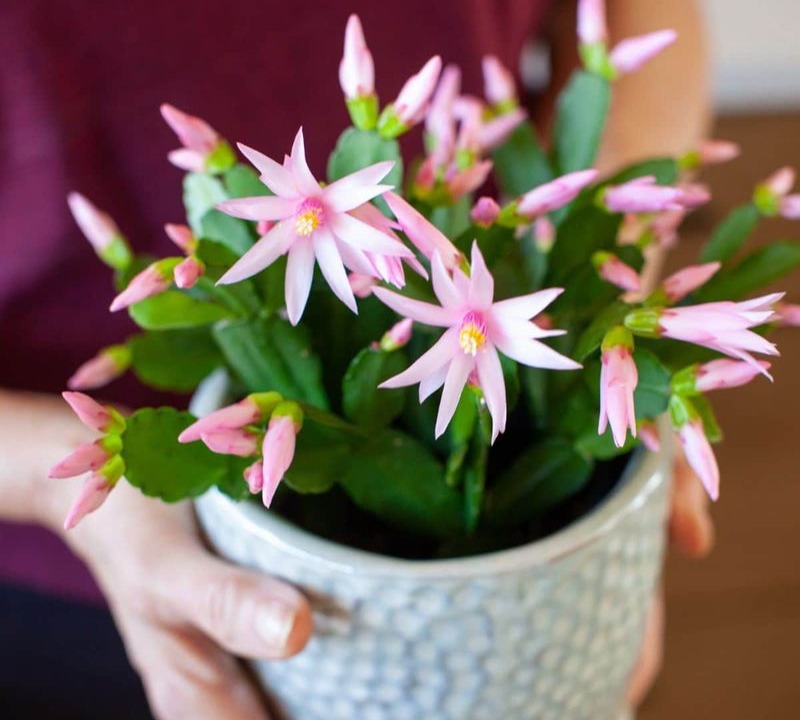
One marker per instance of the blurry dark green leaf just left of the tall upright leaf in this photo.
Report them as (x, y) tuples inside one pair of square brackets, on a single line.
[(520, 163)]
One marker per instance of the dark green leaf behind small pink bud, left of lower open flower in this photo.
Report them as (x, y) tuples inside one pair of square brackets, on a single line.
[(362, 401)]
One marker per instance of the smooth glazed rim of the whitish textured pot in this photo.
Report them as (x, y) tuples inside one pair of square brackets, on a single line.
[(644, 475)]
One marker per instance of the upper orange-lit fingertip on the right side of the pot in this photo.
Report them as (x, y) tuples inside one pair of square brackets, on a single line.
[(690, 524)]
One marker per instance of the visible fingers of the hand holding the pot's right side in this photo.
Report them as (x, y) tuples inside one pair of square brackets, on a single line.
[(691, 530)]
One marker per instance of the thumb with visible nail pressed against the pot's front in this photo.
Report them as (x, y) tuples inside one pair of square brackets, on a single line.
[(247, 613)]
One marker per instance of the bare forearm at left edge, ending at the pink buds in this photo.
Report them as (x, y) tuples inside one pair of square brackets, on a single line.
[(36, 431)]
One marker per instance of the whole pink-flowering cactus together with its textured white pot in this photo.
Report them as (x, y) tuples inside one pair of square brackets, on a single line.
[(492, 553)]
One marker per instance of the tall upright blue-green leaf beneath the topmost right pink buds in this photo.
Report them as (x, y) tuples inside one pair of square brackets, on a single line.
[(580, 121)]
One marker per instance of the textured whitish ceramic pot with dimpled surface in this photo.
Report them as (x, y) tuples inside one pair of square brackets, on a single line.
[(547, 631)]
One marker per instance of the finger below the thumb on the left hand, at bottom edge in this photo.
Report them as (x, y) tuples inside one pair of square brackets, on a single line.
[(186, 676)]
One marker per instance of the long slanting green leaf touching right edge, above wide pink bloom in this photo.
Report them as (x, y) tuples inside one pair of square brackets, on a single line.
[(756, 270)]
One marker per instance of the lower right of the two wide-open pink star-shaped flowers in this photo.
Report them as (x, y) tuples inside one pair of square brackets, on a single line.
[(477, 328)]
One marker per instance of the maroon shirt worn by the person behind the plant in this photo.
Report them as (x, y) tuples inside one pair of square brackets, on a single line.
[(80, 86)]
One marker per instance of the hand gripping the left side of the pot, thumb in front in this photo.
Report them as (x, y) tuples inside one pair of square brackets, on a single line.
[(182, 612)]
